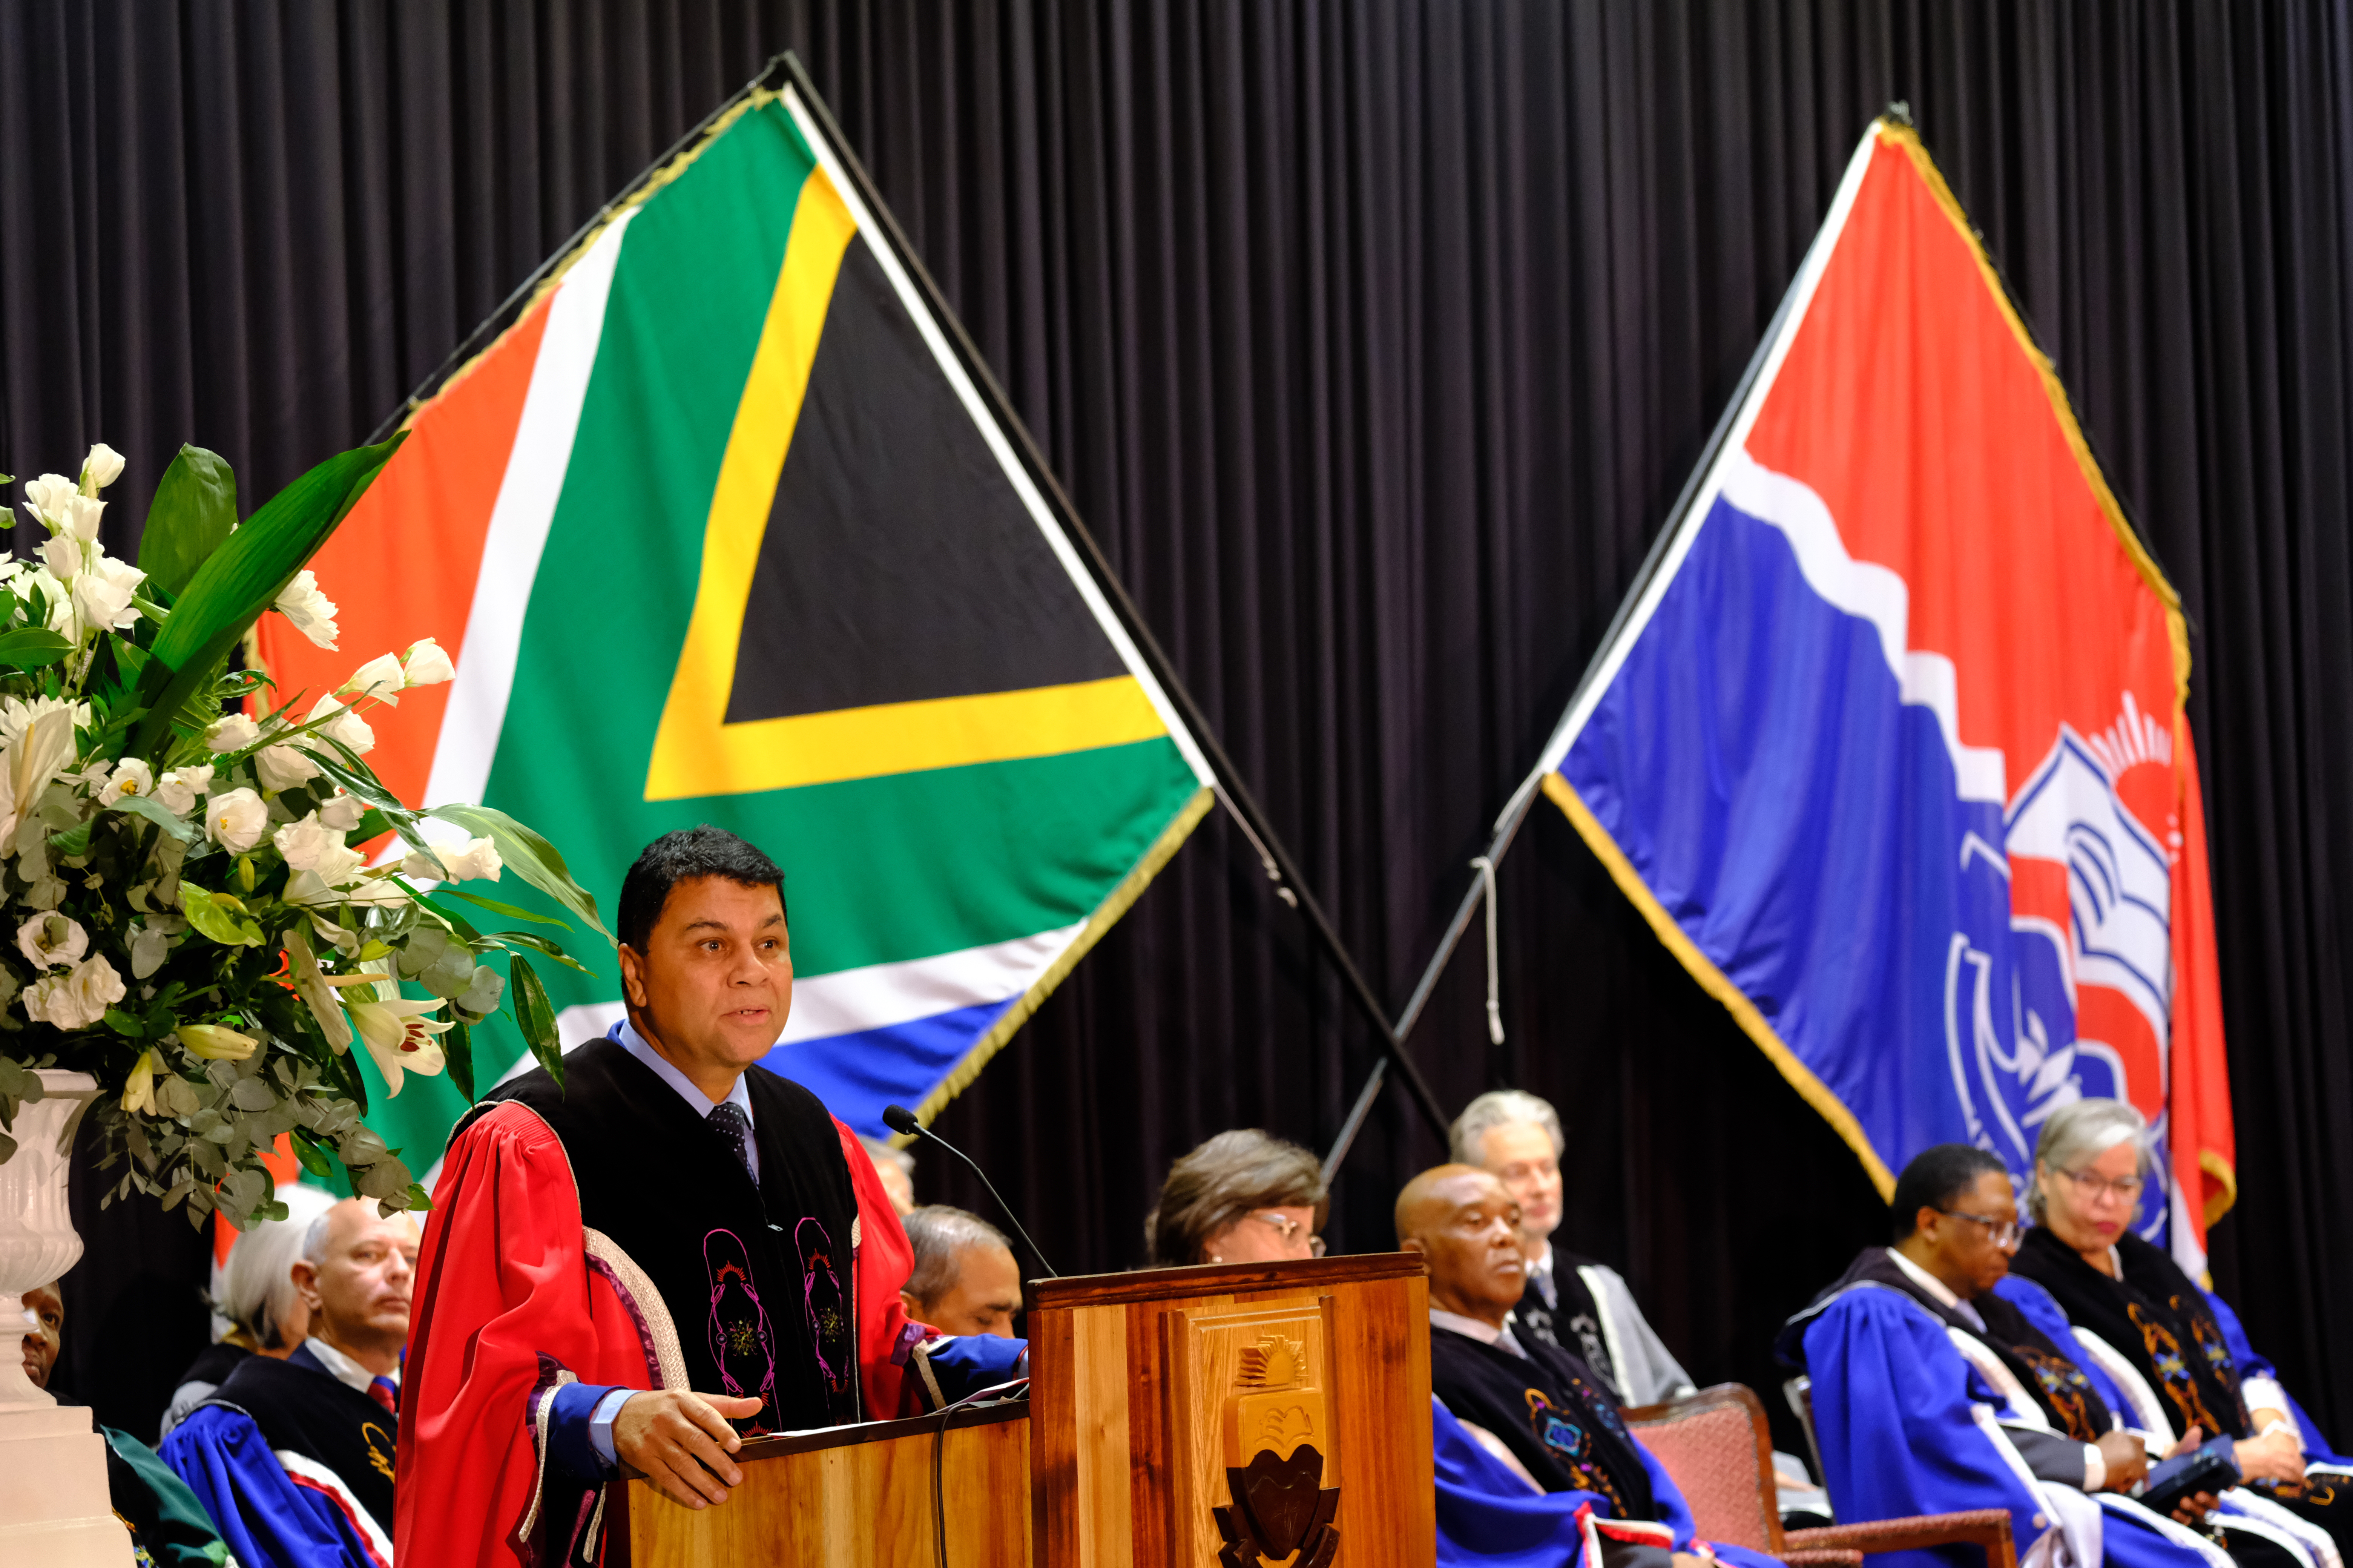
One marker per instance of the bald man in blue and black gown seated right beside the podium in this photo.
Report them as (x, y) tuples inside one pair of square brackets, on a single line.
[(1531, 1449)]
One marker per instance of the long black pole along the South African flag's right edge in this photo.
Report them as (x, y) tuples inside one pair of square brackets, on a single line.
[(1237, 795)]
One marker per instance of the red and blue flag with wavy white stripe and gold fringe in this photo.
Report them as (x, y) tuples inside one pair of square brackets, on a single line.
[(1891, 743)]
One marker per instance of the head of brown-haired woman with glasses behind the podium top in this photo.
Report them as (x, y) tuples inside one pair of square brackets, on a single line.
[(1241, 1197)]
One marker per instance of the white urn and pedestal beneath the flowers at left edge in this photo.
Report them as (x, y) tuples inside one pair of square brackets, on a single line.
[(53, 1461)]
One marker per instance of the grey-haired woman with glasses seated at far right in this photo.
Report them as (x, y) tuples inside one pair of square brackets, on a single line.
[(2175, 1353)]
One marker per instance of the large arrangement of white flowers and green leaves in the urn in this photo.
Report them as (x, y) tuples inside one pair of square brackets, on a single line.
[(182, 865)]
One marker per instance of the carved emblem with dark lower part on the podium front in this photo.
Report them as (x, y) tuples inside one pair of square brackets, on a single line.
[(1277, 1433)]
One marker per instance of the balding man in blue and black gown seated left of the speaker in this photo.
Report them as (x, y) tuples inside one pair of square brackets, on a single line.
[(295, 1459)]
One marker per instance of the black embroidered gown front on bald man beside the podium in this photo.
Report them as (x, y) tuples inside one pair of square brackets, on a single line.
[(1552, 1414)]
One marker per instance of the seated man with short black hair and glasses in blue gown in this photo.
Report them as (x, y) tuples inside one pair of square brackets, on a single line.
[(1938, 1395)]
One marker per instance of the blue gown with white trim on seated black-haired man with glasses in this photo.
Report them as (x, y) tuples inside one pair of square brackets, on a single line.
[(1907, 1426)]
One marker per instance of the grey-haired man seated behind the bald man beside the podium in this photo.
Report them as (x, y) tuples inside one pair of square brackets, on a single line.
[(1571, 1301)]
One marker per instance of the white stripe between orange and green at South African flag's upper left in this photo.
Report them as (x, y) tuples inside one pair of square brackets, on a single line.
[(519, 524)]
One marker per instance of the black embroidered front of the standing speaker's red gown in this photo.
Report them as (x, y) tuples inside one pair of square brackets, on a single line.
[(761, 1282)]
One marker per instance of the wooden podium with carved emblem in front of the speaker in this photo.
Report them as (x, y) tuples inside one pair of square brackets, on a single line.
[(1154, 1397)]
